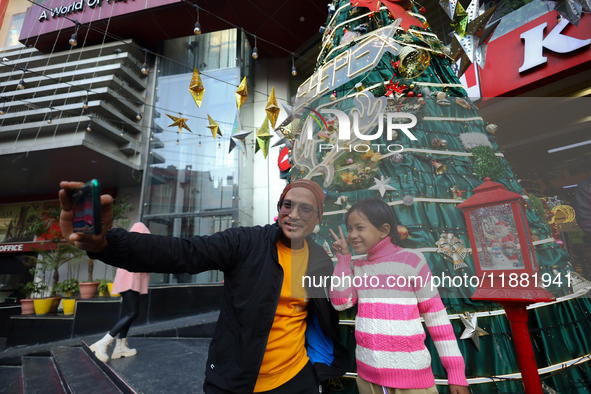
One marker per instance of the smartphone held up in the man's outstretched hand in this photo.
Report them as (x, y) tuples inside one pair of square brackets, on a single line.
[(86, 202)]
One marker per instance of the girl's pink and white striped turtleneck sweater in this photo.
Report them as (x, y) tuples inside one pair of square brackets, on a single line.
[(392, 288)]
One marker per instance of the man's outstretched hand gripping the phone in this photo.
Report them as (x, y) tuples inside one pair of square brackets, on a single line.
[(89, 242)]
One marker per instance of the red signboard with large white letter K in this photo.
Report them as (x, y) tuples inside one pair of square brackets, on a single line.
[(544, 49)]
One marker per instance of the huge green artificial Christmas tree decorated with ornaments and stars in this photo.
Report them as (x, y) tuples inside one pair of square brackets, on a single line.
[(385, 115)]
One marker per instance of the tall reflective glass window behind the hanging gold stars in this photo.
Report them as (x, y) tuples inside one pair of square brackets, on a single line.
[(194, 186)]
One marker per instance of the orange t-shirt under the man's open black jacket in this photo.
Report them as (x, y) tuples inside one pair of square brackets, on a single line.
[(286, 355)]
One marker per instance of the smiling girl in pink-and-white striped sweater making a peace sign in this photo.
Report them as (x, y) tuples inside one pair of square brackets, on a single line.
[(392, 288)]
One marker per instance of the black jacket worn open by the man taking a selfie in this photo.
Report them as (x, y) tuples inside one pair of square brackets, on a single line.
[(253, 278)]
